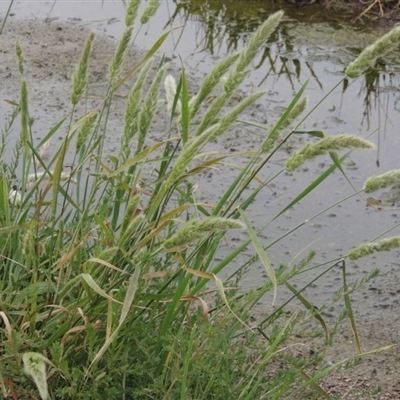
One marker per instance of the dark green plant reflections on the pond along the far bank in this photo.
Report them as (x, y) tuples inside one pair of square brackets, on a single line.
[(295, 52)]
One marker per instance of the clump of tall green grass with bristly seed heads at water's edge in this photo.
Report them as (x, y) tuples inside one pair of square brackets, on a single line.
[(110, 281)]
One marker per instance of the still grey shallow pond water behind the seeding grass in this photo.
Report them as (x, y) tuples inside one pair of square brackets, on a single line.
[(304, 47)]
